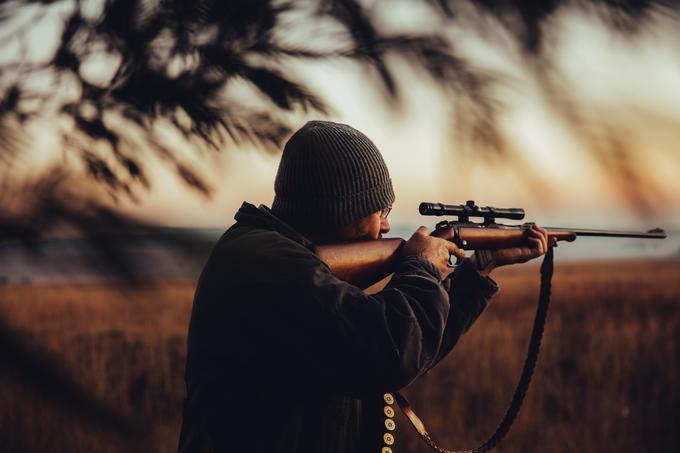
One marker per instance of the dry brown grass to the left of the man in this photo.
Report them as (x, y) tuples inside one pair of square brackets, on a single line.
[(125, 347)]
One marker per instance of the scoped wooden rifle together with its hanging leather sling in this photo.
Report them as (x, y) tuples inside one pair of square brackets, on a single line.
[(367, 262)]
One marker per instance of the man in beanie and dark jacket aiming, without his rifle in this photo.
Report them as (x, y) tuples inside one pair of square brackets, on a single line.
[(283, 356)]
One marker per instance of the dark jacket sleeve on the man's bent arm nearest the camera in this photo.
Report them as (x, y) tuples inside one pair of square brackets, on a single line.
[(380, 342)]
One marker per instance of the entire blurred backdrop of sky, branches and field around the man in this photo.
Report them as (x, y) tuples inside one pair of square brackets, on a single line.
[(132, 130)]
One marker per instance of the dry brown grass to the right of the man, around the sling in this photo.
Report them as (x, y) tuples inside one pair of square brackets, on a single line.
[(606, 379)]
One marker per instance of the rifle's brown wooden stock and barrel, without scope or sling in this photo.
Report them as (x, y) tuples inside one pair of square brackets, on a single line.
[(364, 263)]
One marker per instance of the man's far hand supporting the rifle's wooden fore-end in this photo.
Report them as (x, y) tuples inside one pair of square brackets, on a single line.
[(536, 245)]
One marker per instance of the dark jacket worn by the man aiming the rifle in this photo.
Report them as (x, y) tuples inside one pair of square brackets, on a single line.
[(284, 357)]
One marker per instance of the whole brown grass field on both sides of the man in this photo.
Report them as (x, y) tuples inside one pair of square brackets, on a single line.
[(607, 380)]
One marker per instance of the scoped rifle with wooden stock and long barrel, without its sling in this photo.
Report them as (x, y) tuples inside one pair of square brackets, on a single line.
[(367, 262)]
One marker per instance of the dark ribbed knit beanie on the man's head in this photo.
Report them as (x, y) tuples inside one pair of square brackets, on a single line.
[(330, 175)]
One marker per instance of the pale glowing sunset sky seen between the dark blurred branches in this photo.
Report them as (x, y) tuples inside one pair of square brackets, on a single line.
[(629, 86)]
